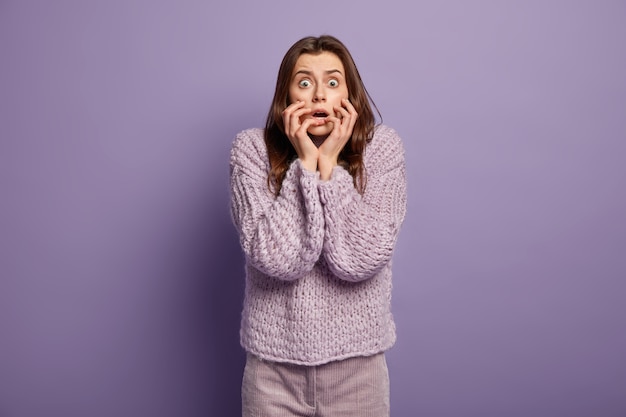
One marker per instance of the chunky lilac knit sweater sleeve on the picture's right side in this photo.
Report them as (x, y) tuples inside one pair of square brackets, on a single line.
[(361, 230)]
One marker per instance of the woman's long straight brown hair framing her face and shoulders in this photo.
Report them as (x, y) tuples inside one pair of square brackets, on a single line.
[(280, 151)]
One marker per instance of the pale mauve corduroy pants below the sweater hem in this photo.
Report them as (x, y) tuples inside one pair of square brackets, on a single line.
[(356, 387)]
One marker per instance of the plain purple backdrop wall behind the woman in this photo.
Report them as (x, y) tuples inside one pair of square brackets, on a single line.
[(121, 275)]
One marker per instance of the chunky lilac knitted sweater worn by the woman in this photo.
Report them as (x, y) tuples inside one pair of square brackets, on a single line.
[(318, 255)]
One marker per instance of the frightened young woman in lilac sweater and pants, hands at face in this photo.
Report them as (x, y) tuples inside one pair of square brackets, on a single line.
[(317, 197)]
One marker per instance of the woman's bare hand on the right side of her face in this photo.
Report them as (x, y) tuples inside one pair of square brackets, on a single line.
[(339, 136)]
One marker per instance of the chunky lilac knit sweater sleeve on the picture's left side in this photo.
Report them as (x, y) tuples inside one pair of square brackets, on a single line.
[(282, 236)]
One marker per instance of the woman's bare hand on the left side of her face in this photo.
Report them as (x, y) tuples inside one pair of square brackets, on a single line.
[(296, 131)]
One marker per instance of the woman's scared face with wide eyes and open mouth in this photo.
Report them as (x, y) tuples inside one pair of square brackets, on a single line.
[(319, 81)]
